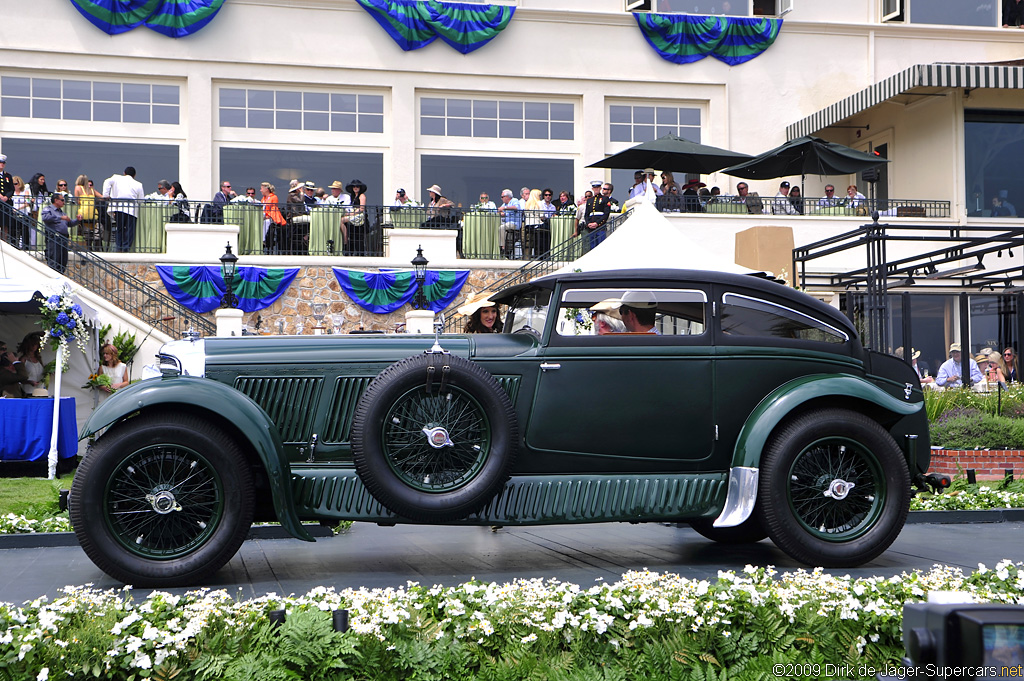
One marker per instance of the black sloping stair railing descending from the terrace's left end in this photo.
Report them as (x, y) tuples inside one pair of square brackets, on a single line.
[(93, 272)]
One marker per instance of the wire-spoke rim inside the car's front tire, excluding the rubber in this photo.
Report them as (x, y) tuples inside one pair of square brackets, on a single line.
[(163, 501)]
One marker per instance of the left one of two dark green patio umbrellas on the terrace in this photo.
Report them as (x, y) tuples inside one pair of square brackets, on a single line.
[(673, 153)]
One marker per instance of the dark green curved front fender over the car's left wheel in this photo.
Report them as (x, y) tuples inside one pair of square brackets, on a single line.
[(223, 404)]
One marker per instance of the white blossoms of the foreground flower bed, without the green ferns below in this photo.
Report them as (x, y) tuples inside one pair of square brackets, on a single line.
[(142, 635)]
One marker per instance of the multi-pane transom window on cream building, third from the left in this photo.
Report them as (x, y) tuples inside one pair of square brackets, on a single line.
[(452, 117)]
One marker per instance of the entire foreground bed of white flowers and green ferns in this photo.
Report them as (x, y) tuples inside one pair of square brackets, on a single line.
[(646, 625)]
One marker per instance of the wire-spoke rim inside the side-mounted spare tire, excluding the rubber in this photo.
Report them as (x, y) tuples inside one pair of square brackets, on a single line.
[(437, 443)]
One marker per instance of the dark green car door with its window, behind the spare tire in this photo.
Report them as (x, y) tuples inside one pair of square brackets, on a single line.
[(627, 401)]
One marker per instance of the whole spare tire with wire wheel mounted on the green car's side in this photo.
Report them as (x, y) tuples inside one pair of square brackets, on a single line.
[(435, 438)]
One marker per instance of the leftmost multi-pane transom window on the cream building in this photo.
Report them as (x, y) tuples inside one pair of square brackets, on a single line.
[(90, 101)]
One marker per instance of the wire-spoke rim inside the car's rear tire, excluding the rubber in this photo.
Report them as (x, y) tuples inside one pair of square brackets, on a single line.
[(836, 489)]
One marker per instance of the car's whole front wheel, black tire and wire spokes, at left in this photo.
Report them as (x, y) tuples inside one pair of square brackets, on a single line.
[(162, 501)]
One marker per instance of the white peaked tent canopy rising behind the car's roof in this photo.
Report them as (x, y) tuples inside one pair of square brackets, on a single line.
[(648, 240)]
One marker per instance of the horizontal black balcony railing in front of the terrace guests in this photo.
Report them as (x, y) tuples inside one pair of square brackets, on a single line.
[(518, 235)]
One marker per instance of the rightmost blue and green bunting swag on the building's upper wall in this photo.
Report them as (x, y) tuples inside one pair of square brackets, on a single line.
[(689, 38)]
